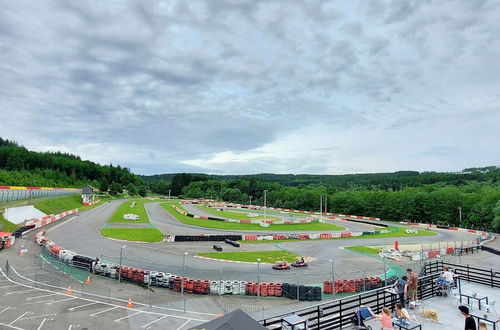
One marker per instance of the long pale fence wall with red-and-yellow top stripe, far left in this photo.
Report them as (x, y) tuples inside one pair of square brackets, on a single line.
[(12, 193)]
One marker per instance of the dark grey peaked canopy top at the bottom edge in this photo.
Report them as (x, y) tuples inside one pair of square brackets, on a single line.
[(236, 320)]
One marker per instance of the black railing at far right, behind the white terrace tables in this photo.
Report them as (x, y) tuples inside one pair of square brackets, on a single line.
[(489, 277)]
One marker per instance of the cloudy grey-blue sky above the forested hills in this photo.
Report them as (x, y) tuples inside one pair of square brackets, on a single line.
[(237, 86)]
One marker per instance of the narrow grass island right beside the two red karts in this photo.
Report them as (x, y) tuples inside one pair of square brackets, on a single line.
[(265, 256)]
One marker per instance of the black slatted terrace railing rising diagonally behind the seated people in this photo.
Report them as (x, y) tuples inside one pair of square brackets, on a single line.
[(339, 313)]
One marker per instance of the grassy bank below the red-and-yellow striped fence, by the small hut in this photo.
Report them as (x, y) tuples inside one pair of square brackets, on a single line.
[(60, 204)]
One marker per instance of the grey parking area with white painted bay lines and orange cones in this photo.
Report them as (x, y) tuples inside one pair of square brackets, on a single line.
[(27, 307)]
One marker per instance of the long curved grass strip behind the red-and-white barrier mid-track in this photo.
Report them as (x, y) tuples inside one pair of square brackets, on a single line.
[(246, 226)]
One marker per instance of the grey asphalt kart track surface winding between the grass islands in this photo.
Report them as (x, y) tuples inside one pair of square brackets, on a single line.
[(81, 234)]
